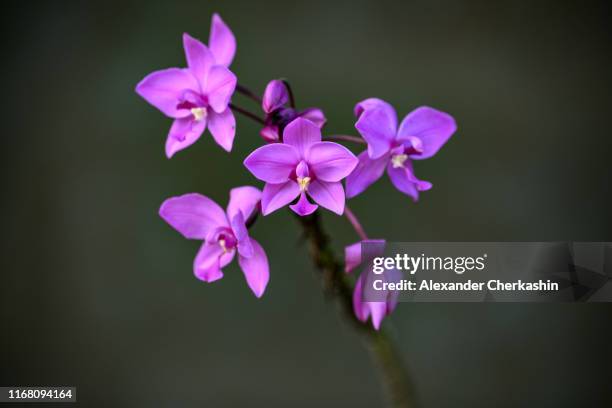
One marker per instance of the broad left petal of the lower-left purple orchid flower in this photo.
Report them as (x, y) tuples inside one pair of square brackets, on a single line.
[(193, 215)]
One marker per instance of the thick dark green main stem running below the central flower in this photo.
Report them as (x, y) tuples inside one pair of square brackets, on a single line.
[(336, 285)]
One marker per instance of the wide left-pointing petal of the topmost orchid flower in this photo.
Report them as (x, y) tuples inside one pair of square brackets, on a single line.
[(164, 89)]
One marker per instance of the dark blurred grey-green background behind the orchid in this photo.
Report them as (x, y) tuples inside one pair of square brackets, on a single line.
[(96, 291)]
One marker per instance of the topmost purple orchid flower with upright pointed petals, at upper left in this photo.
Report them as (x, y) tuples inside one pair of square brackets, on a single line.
[(198, 96)]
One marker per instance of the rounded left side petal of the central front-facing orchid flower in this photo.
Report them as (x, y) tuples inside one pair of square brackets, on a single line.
[(272, 163)]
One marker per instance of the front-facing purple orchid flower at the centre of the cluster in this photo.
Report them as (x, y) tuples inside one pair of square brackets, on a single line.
[(301, 165)]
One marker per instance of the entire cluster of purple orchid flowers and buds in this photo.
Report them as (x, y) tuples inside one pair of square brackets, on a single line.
[(299, 167)]
